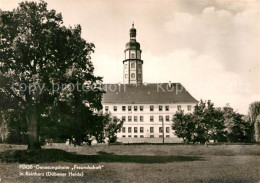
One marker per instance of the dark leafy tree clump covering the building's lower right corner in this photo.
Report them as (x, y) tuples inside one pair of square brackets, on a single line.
[(208, 123)]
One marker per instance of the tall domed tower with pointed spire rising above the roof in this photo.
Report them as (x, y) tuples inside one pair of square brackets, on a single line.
[(133, 72)]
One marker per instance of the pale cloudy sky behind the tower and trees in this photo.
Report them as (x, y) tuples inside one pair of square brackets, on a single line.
[(210, 46)]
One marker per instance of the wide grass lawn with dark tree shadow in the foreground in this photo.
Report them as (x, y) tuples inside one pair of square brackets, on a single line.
[(137, 163)]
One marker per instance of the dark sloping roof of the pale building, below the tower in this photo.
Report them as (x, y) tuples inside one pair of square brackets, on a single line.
[(150, 93)]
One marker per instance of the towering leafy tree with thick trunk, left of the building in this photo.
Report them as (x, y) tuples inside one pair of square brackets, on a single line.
[(38, 55)]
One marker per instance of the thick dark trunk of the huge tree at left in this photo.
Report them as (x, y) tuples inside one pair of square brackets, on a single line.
[(32, 134)]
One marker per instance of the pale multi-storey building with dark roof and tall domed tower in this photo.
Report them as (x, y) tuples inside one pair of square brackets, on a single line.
[(147, 108)]
